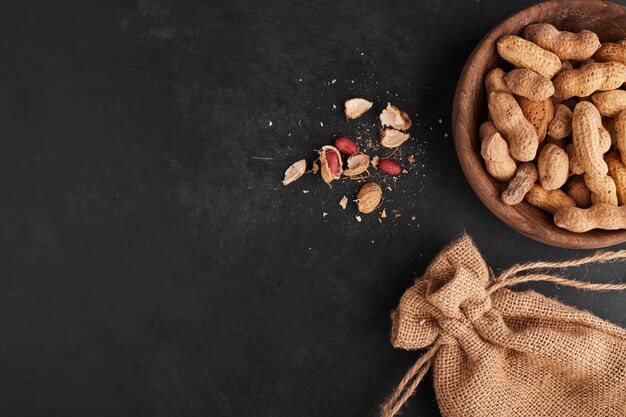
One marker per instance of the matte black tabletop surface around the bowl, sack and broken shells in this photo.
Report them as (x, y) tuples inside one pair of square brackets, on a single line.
[(152, 263)]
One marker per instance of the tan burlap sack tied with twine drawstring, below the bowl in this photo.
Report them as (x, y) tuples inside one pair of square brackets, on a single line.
[(497, 352)]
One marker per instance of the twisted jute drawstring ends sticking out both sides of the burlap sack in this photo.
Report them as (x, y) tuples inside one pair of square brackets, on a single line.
[(508, 278)]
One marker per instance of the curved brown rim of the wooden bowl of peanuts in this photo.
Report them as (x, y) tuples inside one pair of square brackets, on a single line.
[(521, 217)]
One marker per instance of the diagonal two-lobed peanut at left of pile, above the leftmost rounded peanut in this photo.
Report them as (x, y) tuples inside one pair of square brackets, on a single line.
[(517, 130)]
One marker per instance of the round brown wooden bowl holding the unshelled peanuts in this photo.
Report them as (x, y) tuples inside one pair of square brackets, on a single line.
[(608, 20)]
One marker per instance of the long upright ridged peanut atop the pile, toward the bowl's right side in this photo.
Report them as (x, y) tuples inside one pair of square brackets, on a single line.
[(585, 124)]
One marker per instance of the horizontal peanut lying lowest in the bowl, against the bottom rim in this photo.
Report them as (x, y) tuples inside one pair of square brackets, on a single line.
[(599, 216)]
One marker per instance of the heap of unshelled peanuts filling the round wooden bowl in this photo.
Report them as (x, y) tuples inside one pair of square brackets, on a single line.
[(557, 126)]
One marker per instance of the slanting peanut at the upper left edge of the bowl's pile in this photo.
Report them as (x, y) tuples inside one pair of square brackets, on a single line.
[(525, 54)]
